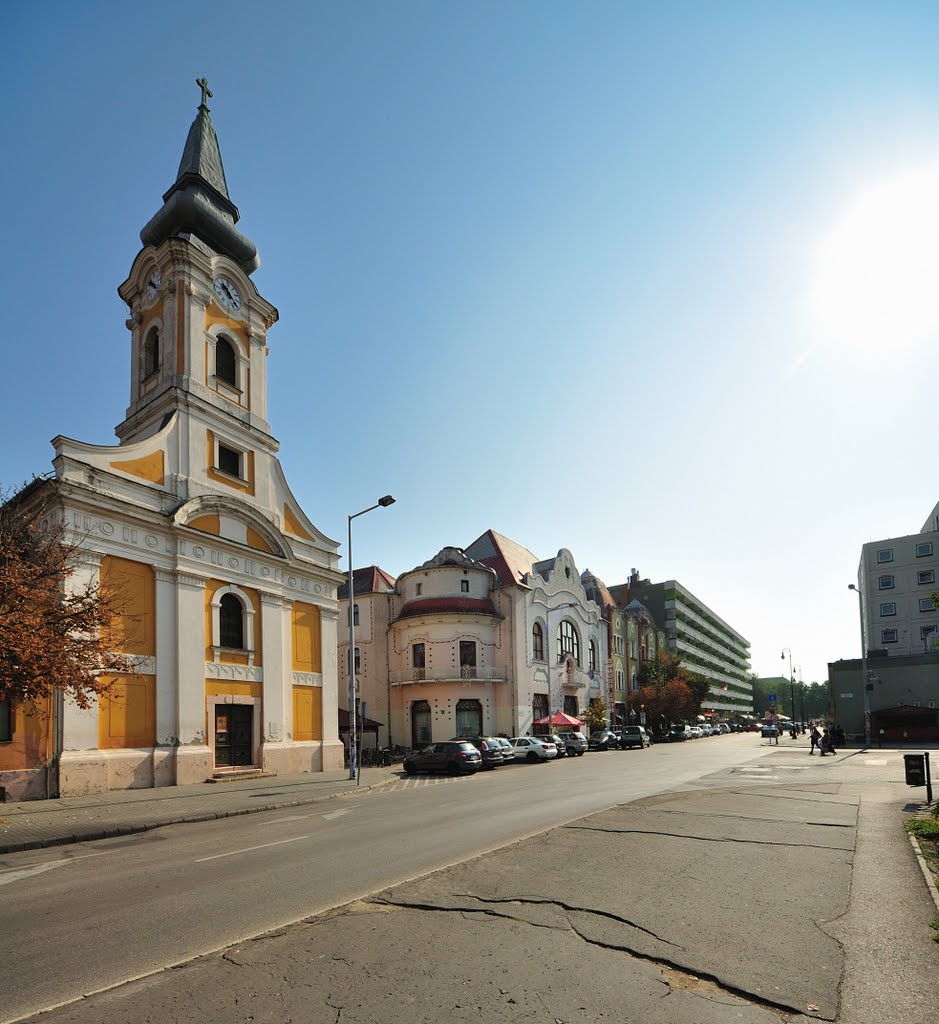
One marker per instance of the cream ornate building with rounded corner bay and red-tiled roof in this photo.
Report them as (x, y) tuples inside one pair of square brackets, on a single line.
[(480, 641)]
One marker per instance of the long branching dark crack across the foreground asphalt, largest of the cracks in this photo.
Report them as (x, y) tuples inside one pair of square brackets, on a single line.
[(727, 988)]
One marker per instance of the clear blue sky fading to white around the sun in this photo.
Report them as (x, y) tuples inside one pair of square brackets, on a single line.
[(590, 274)]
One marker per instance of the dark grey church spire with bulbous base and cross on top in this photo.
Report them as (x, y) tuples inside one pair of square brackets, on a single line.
[(198, 203)]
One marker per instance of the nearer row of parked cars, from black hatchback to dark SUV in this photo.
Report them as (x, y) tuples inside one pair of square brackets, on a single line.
[(468, 754)]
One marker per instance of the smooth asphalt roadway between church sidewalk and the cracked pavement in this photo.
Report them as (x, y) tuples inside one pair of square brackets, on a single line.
[(88, 918)]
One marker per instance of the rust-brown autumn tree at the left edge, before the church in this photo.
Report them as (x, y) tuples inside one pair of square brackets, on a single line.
[(54, 627)]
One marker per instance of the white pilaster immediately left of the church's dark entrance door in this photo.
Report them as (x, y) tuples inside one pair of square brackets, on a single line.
[(193, 756)]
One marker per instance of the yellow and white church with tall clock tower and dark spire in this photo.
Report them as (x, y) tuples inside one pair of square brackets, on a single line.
[(227, 592)]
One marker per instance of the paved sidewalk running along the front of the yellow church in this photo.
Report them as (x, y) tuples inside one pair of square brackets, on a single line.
[(33, 825)]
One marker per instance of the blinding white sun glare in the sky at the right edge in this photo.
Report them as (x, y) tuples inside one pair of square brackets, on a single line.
[(877, 272)]
